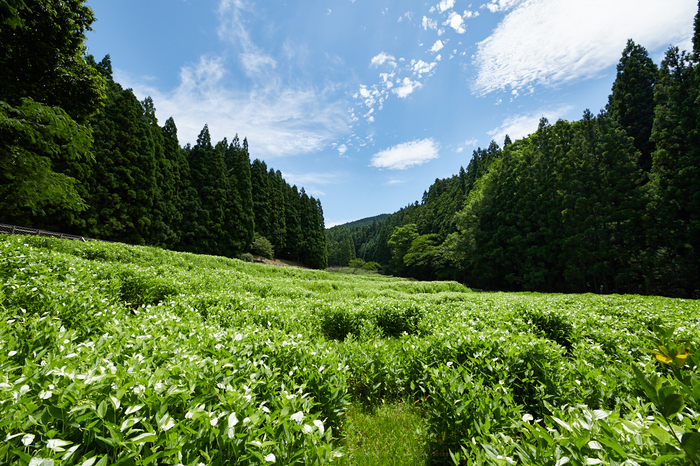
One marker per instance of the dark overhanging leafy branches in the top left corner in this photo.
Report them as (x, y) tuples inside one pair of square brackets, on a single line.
[(42, 56)]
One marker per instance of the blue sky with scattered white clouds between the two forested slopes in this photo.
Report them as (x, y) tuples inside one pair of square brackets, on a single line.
[(365, 103)]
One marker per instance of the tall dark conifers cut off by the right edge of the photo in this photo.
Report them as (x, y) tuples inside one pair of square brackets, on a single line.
[(675, 177)]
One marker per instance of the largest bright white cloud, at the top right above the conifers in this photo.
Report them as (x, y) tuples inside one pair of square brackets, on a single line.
[(552, 41)]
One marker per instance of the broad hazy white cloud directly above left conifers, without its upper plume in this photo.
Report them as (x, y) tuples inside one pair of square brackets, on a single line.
[(280, 122)]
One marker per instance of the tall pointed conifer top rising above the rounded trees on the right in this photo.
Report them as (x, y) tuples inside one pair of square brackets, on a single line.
[(631, 103)]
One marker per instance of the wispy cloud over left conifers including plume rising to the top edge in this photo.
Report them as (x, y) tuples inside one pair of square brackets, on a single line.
[(279, 119)]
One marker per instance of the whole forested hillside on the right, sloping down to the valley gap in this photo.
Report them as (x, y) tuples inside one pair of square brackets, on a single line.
[(609, 203)]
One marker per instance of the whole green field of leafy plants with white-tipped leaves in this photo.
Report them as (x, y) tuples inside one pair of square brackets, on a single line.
[(113, 354)]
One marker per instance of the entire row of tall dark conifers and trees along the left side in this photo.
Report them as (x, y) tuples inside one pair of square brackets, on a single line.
[(82, 155)]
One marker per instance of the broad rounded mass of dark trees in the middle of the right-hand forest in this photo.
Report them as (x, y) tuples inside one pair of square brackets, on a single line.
[(559, 212)]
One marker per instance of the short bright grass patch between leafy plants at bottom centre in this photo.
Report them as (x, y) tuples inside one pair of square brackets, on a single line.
[(385, 435)]
